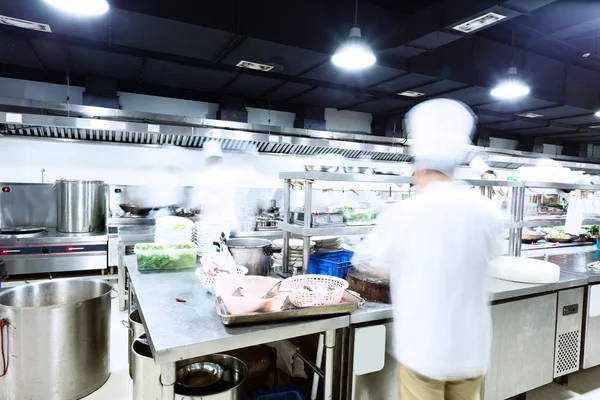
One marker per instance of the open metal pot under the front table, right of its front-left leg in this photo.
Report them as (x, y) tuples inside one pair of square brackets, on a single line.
[(233, 383)]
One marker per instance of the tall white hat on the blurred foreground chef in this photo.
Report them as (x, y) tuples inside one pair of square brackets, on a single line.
[(440, 130)]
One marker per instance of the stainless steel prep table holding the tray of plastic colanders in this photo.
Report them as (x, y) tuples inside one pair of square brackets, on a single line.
[(178, 331)]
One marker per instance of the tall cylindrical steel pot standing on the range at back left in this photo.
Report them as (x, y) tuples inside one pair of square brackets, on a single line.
[(80, 206)]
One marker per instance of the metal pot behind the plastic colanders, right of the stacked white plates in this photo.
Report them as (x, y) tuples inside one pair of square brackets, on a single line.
[(253, 254)]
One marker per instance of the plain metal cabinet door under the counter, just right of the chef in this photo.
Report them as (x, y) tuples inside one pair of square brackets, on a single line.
[(522, 346)]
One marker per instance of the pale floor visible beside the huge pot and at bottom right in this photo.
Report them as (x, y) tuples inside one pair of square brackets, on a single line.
[(119, 386)]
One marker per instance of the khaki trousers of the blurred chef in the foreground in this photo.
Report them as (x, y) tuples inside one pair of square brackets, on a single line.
[(417, 387)]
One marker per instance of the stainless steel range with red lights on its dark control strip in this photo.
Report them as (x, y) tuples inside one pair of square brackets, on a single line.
[(52, 251)]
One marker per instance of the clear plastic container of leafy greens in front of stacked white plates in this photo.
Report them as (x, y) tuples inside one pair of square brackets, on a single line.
[(157, 257)]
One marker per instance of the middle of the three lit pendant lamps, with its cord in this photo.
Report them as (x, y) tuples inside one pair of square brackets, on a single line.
[(355, 54)]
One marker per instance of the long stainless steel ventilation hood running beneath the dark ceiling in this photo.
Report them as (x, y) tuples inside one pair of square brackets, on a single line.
[(49, 120)]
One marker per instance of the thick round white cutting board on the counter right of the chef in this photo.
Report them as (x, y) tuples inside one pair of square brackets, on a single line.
[(525, 270)]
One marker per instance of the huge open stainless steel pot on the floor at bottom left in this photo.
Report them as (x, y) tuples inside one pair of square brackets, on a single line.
[(58, 339)]
